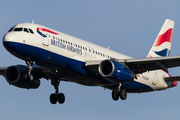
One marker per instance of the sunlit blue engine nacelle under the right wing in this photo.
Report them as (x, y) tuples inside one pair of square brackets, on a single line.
[(115, 71)]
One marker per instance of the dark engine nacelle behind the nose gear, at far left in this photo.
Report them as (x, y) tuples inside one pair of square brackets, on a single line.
[(17, 76)]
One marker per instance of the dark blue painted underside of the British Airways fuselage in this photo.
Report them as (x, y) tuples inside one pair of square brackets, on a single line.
[(58, 61)]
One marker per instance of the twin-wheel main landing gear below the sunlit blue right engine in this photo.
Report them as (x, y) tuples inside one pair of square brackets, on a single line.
[(122, 93)]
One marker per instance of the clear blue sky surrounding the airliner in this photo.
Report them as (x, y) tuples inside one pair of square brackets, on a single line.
[(129, 27)]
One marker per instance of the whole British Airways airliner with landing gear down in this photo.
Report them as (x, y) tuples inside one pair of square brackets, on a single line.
[(59, 57)]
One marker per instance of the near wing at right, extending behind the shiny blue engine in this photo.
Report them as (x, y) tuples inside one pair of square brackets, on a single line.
[(142, 65)]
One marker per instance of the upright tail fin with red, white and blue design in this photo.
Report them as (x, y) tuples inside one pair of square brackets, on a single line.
[(162, 44)]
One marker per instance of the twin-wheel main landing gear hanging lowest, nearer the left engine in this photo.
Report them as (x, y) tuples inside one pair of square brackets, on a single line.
[(54, 97)]
